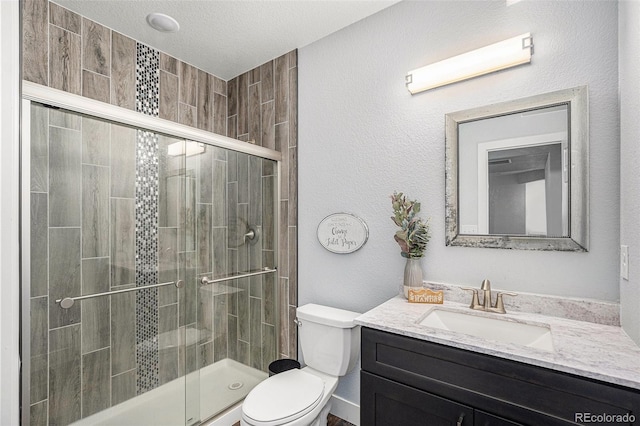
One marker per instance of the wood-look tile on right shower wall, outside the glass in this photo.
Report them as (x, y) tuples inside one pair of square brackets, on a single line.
[(263, 109)]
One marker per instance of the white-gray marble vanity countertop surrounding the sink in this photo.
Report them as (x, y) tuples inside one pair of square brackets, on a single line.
[(597, 351)]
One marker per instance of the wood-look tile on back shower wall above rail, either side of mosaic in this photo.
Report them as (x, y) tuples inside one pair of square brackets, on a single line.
[(66, 51)]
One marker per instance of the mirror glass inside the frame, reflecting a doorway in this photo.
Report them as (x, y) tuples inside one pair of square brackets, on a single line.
[(514, 178)]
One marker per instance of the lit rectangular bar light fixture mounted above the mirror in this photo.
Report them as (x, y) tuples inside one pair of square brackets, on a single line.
[(495, 57)]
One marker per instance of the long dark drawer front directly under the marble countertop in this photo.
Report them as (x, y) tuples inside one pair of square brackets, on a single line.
[(515, 391)]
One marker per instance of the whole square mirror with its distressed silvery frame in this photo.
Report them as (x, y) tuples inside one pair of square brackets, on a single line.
[(517, 174)]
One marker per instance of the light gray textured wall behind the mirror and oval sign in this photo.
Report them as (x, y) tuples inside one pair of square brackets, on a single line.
[(363, 136)]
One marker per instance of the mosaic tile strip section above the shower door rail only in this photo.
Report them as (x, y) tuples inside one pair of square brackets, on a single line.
[(147, 80)]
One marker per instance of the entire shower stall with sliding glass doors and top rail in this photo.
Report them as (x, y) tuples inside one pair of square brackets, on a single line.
[(149, 263)]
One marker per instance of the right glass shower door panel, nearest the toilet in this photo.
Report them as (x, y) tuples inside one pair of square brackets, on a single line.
[(235, 232)]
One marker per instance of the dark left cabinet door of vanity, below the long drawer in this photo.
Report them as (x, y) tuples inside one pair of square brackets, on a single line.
[(387, 403)]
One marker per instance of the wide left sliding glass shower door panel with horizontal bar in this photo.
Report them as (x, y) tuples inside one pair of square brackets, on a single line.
[(106, 206)]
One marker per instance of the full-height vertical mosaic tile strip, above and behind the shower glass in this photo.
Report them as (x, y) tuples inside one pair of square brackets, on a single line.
[(146, 216)]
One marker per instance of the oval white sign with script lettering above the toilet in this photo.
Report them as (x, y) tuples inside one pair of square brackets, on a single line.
[(342, 233)]
